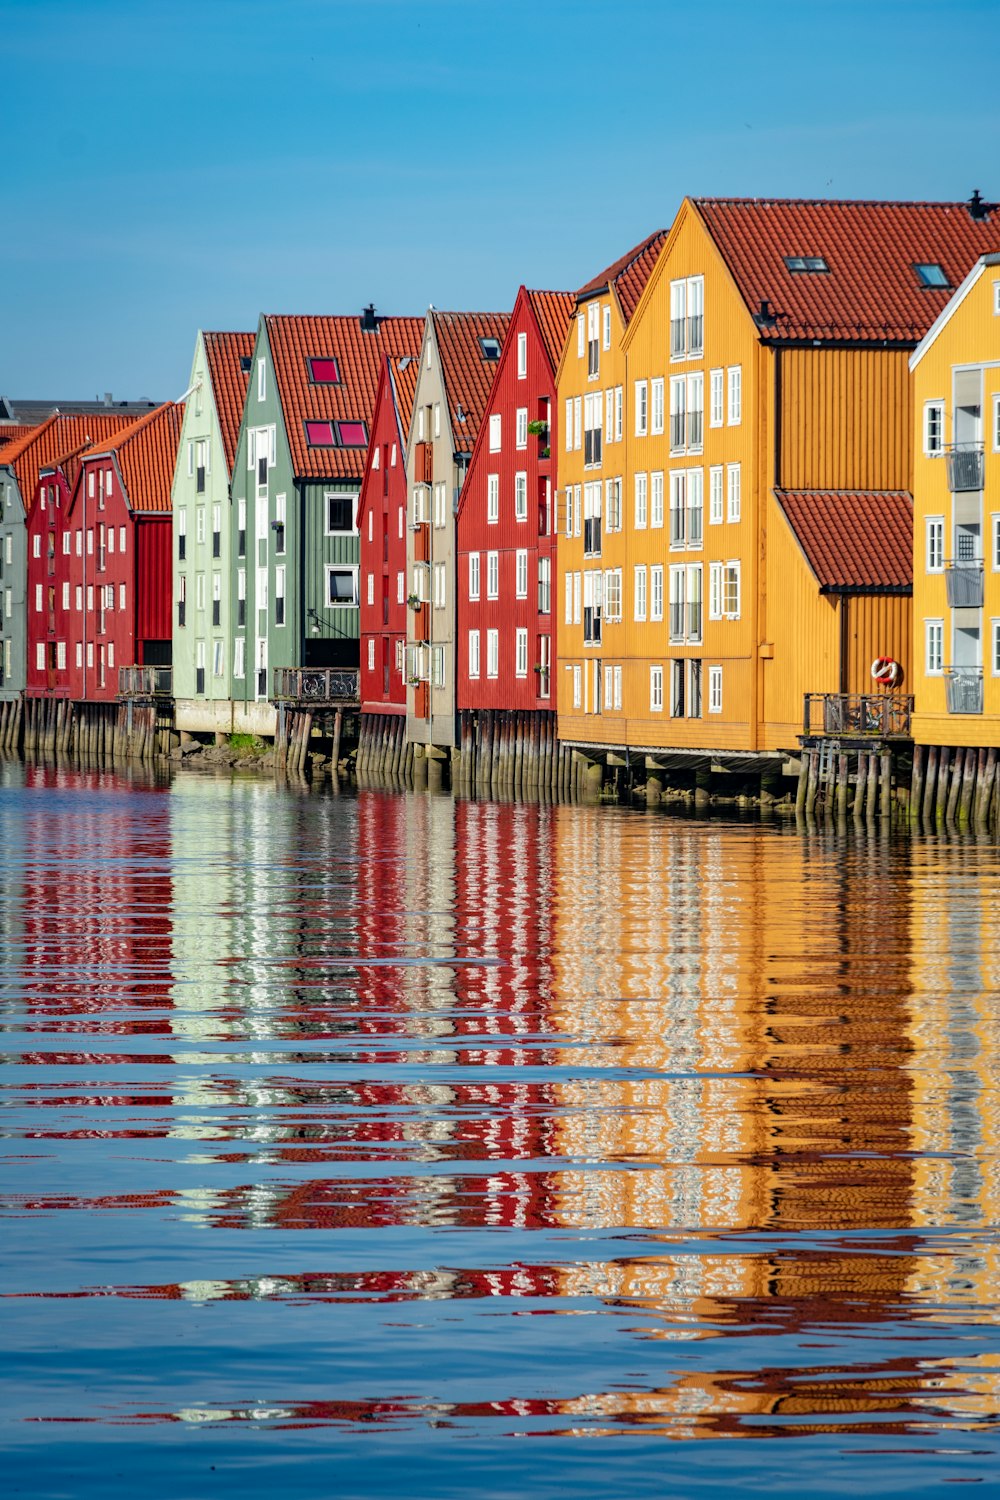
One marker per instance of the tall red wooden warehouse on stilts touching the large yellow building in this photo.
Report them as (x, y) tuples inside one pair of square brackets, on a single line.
[(507, 553)]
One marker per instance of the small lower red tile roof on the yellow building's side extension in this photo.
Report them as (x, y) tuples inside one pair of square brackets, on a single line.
[(854, 541)]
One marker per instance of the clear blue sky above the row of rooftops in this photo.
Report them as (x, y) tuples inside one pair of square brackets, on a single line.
[(196, 163)]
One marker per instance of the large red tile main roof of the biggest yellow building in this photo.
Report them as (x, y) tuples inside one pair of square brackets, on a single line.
[(872, 290)]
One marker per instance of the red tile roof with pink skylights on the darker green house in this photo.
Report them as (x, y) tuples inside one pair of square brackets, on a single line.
[(359, 356)]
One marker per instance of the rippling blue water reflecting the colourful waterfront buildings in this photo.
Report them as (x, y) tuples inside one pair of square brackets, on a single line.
[(388, 1145)]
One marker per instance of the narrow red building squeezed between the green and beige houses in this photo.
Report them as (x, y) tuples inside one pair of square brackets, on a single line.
[(383, 533)]
